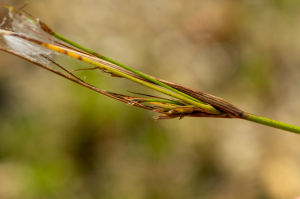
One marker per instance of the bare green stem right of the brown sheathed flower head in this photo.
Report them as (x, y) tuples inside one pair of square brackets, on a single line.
[(272, 123)]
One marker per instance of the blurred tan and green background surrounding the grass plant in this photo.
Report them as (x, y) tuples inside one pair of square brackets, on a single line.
[(61, 140)]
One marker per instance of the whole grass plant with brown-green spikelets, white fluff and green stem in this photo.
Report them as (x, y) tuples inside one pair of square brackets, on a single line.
[(33, 40)]
